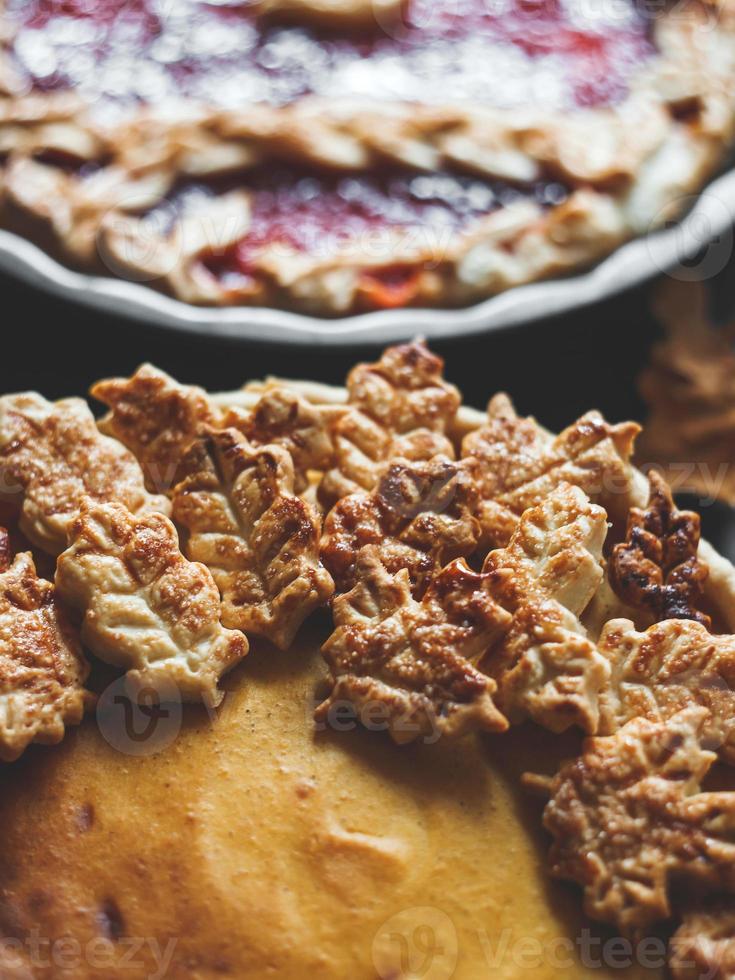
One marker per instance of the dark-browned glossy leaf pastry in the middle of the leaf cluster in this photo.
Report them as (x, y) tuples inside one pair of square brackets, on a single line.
[(420, 516)]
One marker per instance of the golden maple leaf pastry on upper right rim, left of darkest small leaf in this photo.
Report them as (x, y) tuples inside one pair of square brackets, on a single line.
[(516, 465)]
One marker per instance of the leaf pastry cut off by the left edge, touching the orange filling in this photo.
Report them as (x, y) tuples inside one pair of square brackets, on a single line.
[(42, 668)]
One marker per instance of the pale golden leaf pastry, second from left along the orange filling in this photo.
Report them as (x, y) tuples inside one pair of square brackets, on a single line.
[(145, 607)]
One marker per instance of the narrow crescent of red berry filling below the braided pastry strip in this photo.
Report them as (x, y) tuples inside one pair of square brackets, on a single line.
[(377, 217)]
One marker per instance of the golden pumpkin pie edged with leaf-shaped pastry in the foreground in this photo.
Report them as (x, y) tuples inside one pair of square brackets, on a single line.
[(279, 805)]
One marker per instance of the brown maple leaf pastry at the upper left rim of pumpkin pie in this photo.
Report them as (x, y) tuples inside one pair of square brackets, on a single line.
[(156, 418)]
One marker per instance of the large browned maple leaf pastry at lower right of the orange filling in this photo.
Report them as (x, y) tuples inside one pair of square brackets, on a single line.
[(629, 817)]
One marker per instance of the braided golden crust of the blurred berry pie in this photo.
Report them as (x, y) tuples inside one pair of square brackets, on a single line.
[(103, 192)]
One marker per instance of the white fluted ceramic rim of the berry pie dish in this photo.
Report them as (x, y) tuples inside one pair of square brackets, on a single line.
[(700, 244)]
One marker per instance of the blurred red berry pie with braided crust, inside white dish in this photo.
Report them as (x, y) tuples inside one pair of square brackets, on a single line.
[(334, 157)]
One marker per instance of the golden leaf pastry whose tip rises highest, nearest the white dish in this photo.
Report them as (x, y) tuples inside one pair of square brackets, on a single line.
[(399, 407)]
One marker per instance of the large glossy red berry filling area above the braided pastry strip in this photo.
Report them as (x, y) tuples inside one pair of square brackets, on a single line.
[(556, 53)]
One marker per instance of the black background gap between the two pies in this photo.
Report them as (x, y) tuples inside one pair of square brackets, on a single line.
[(555, 369)]
